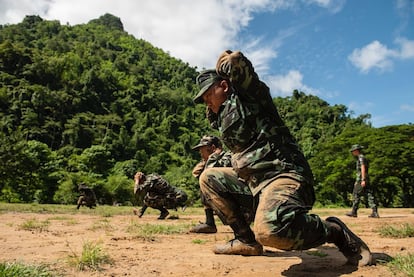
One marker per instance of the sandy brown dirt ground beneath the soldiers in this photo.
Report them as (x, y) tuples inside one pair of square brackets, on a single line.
[(187, 254)]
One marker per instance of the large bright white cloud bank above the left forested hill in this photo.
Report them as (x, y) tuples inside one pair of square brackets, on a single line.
[(193, 31)]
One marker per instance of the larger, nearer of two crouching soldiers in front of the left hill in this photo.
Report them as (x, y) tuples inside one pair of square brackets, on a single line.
[(158, 194)]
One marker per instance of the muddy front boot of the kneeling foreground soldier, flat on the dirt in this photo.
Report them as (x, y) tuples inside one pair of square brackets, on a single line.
[(244, 242)]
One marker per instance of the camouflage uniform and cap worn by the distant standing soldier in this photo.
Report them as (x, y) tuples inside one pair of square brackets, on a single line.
[(362, 191)]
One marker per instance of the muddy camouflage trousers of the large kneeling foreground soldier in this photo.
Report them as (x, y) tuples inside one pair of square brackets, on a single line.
[(281, 209)]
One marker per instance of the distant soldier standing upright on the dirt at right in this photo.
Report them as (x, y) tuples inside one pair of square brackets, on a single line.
[(362, 185)]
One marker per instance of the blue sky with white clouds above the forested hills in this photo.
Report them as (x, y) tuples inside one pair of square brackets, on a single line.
[(359, 53)]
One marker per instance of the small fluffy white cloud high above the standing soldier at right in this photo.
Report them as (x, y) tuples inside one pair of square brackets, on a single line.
[(378, 56)]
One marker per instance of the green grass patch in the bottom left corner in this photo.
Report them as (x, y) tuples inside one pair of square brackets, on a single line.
[(13, 269)]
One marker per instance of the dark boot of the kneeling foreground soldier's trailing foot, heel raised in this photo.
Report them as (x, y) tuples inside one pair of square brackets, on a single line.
[(352, 247)]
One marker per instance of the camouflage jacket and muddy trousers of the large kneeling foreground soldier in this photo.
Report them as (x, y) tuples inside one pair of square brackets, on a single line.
[(267, 157)]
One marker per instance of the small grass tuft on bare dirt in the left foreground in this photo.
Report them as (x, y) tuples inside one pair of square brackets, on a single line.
[(92, 257)]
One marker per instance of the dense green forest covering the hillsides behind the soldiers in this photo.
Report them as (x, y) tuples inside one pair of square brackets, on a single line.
[(90, 103)]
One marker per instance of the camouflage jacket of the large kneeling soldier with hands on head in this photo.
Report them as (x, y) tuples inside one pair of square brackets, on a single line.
[(250, 126)]
